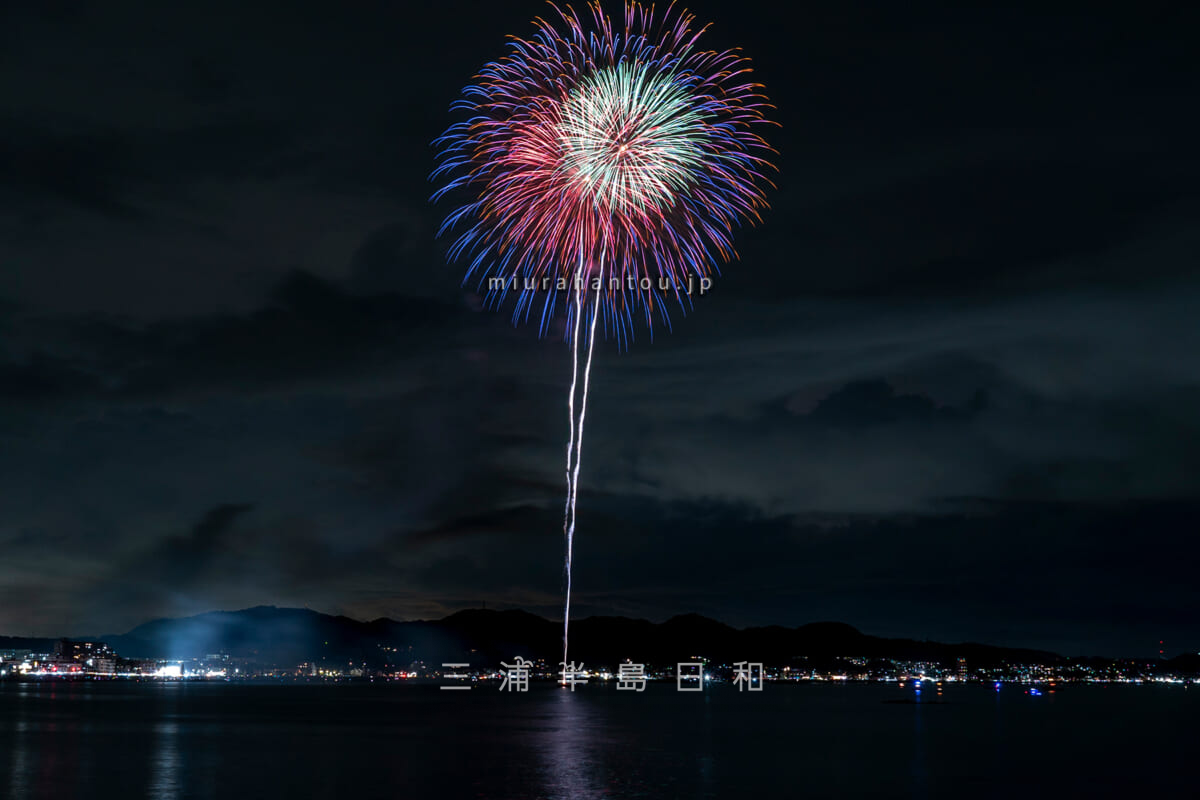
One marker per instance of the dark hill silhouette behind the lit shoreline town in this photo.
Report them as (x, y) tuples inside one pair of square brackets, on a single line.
[(291, 636)]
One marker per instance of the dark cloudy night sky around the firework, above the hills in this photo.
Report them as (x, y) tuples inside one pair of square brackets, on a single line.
[(951, 390)]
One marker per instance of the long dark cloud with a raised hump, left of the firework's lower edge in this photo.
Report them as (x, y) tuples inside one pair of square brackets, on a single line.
[(309, 329)]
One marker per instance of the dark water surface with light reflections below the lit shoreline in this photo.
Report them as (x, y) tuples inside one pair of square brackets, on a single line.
[(99, 741)]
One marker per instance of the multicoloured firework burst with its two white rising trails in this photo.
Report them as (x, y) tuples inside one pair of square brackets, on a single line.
[(607, 159)]
